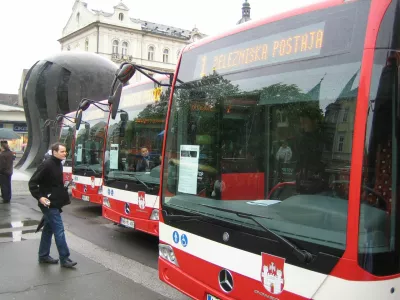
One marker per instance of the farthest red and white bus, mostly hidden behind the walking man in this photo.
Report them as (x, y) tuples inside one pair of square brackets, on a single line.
[(67, 137)]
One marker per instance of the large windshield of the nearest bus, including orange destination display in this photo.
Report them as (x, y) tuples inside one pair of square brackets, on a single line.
[(251, 132)]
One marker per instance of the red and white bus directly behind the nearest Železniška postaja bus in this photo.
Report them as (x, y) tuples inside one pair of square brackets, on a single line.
[(133, 157)]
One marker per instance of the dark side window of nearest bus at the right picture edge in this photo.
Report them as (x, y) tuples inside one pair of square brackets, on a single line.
[(379, 239)]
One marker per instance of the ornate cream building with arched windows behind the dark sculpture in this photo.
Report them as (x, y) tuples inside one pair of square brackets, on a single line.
[(119, 37)]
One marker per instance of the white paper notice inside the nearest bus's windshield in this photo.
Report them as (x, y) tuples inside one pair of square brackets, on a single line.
[(188, 169)]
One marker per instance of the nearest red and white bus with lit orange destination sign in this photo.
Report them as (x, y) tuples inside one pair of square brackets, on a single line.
[(280, 165)]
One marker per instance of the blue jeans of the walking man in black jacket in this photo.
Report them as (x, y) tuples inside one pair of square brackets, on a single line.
[(53, 225)]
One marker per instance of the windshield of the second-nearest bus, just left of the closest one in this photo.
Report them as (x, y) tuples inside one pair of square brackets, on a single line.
[(134, 139)]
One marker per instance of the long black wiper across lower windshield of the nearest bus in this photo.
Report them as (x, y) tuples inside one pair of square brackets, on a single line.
[(303, 255)]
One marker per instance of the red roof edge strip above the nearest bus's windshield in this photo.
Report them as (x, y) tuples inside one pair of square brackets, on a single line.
[(255, 23)]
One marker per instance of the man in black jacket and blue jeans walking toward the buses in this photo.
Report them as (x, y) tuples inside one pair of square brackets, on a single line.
[(46, 185)]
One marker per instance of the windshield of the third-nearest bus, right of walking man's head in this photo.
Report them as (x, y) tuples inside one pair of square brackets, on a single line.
[(89, 143)]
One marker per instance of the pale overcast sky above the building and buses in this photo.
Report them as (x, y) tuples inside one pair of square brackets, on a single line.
[(29, 29)]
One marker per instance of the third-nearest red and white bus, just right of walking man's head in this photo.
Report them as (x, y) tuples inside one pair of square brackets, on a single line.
[(87, 167)]
